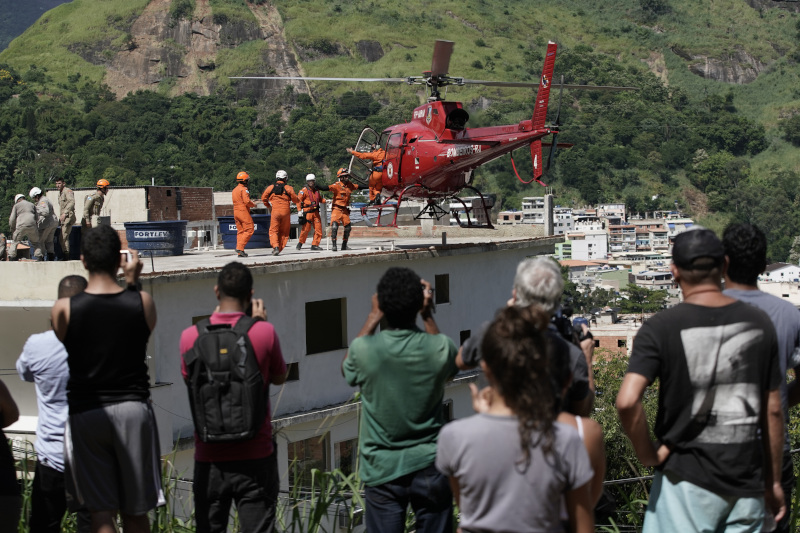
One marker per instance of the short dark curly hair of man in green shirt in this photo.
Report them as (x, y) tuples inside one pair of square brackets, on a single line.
[(400, 296)]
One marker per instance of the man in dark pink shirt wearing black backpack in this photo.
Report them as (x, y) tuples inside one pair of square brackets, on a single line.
[(234, 455)]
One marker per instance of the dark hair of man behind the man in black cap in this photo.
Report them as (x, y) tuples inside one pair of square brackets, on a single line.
[(746, 248)]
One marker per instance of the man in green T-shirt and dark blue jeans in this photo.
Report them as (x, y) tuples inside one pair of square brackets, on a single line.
[(402, 372)]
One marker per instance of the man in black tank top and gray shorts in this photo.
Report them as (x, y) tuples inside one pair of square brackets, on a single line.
[(105, 330)]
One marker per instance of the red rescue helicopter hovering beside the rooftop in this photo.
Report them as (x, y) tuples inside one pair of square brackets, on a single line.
[(433, 156)]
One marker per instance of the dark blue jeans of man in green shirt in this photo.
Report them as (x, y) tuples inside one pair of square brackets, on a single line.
[(428, 492)]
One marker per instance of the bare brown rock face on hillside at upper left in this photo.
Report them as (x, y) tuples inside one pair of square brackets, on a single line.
[(183, 53)]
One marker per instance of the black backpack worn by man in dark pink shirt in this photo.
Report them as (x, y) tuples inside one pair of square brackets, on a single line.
[(227, 393)]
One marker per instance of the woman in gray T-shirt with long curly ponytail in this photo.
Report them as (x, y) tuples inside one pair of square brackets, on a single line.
[(510, 465)]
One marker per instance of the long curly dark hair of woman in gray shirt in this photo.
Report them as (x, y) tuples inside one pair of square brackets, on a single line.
[(515, 350)]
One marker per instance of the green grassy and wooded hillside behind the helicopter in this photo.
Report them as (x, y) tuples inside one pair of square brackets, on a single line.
[(720, 150)]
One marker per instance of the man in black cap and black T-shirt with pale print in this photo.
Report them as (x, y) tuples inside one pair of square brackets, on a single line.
[(716, 359)]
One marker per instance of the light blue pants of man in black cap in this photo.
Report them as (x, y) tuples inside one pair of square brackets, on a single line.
[(677, 505)]
